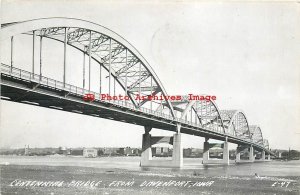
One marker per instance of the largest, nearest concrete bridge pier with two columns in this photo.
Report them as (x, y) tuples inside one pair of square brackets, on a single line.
[(148, 141)]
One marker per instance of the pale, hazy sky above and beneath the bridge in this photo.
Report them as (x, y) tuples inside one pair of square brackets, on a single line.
[(246, 54)]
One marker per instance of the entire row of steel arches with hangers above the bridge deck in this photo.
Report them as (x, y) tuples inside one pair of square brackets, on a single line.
[(127, 67)]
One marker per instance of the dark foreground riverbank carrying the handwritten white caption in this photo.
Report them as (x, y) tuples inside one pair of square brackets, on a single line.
[(41, 179)]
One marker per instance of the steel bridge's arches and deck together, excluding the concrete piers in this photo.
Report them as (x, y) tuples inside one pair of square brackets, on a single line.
[(121, 69)]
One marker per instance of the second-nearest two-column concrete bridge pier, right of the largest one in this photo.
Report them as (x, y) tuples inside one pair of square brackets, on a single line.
[(207, 160)]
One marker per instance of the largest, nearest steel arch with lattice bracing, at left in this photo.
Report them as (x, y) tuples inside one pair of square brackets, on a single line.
[(111, 51)]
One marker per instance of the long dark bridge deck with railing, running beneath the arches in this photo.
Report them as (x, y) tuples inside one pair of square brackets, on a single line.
[(22, 86)]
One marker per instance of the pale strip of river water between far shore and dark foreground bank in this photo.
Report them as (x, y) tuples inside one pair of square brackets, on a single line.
[(191, 165)]
